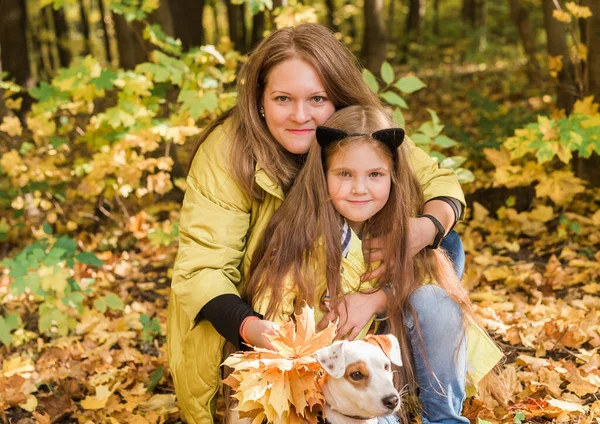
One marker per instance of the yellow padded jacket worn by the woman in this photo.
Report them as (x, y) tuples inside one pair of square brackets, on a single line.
[(220, 226)]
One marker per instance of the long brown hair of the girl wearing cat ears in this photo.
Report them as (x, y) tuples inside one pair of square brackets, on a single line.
[(306, 231)]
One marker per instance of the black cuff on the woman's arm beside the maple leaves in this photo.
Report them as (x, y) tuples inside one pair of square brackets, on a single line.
[(226, 313)]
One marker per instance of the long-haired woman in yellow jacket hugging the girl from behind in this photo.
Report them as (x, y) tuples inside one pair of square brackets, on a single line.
[(245, 163)]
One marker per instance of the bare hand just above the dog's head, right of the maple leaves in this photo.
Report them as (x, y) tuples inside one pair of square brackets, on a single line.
[(354, 311)]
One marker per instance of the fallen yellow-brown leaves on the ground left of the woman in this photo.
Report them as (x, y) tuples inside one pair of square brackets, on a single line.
[(106, 371)]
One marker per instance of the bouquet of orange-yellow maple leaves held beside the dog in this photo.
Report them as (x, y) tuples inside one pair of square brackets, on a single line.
[(281, 385)]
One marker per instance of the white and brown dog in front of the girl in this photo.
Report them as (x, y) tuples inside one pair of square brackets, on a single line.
[(358, 385)]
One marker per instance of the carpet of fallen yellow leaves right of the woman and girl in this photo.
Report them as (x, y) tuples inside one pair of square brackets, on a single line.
[(535, 283)]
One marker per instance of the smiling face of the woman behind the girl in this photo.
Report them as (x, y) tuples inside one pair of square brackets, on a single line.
[(295, 103)]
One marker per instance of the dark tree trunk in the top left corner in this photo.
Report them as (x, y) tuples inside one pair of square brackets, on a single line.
[(13, 41)]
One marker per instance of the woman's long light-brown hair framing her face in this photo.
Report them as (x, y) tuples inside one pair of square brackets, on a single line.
[(252, 142)]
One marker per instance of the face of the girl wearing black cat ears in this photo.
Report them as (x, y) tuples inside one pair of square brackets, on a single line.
[(359, 182)]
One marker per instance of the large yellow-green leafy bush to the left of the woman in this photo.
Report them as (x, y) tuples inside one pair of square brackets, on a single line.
[(99, 134)]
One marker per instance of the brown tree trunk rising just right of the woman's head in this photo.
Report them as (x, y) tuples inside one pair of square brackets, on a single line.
[(374, 37)]
